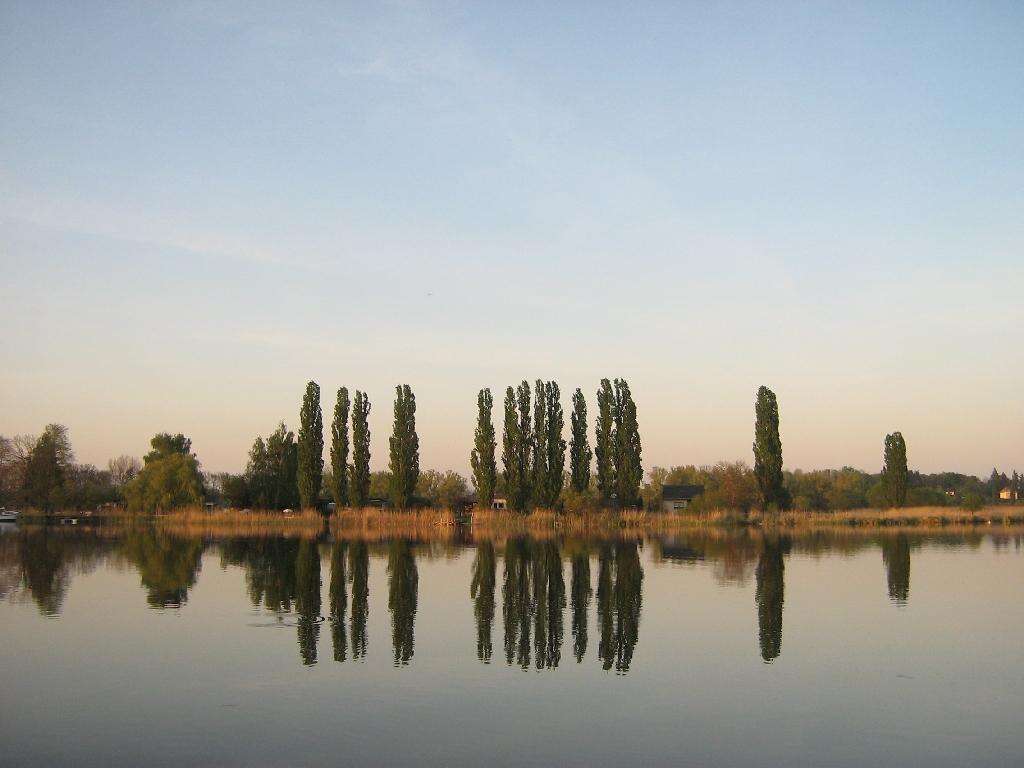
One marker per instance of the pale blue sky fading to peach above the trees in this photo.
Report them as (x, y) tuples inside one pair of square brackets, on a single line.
[(203, 206)]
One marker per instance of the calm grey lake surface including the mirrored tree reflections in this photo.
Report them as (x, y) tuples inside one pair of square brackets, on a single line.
[(728, 650)]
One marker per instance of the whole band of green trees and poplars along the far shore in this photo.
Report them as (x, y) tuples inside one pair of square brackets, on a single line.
[(285, 472)]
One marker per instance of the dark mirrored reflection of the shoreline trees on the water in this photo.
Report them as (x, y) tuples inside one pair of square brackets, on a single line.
[(284, 577)]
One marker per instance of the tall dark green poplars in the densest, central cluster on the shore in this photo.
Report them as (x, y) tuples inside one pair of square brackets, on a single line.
[(534, 450)]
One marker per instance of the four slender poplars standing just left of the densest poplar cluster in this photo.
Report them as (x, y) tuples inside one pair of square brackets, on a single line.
[(350, 482)]
